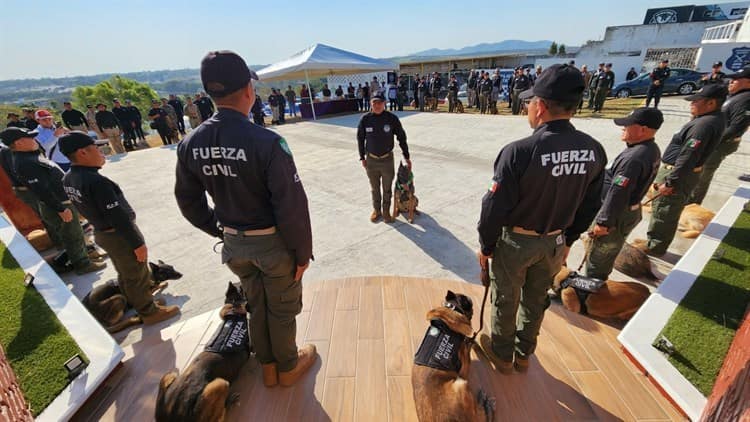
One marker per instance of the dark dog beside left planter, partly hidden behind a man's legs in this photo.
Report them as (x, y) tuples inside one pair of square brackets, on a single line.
[(108, 305)]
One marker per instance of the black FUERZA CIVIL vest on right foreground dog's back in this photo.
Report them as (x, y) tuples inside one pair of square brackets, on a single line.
[(439, 348)]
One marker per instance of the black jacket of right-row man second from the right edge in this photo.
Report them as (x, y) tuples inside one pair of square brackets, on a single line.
[(691, 146)]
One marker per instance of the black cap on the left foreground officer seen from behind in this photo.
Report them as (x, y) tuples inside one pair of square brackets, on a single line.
[(224, 72)]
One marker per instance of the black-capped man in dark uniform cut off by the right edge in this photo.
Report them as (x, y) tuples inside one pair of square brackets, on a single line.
[(735, 110)]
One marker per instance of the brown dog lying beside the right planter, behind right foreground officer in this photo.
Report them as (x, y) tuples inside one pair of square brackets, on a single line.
[(613, 299)]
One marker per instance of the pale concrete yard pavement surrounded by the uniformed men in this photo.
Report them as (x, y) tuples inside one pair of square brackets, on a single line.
[(452, 156)]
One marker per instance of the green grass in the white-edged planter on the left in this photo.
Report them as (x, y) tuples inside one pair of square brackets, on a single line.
[(36, 343)]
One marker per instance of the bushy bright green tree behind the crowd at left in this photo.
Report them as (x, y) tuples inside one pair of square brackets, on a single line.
[(118, 87)]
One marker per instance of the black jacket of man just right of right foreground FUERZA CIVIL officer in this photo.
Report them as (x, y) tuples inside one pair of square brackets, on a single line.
[(628, 180)]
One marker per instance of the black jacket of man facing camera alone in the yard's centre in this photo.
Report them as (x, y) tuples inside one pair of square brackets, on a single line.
[(375, 134)]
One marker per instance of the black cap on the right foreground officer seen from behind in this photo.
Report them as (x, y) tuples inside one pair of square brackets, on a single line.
[(559, 82)]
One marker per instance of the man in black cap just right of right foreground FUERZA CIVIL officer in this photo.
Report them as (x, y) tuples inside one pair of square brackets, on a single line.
[(626, 182)]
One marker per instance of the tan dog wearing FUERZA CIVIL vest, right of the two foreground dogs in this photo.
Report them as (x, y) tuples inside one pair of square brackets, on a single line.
[(440, 375)]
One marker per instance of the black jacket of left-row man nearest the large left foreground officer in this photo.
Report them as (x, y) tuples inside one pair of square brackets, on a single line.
[(102, 202)]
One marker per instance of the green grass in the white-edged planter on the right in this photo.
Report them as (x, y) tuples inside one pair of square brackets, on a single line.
[(705, 322)]
